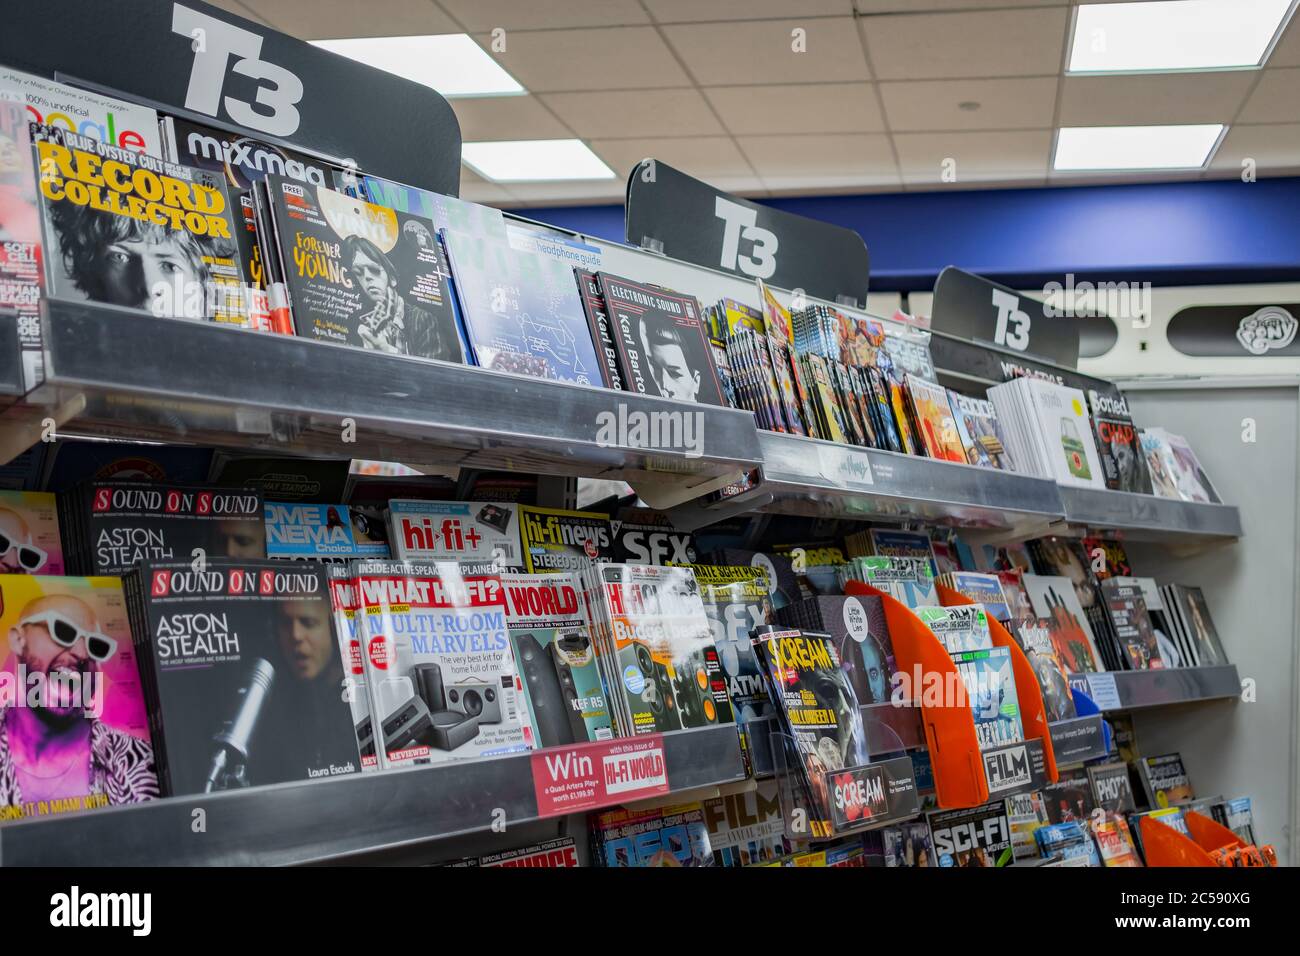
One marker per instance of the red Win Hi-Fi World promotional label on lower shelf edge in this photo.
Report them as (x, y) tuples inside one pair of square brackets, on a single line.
[(586, 777)]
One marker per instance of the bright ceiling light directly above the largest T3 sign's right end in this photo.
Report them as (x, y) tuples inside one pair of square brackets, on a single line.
[(453, 64)]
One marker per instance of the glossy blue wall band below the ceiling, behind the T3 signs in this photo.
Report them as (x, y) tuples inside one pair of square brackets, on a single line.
[(1184, 233)]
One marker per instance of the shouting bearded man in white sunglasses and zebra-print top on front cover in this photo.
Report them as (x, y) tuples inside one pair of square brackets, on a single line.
[(58, 750)]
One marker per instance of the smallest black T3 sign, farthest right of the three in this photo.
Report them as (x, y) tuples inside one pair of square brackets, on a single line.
[(973, 308)]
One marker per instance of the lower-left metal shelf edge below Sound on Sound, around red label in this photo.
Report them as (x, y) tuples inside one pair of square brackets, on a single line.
[(330, 820)]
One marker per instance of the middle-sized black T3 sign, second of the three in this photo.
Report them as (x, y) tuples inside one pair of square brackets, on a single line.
[(696, 223)]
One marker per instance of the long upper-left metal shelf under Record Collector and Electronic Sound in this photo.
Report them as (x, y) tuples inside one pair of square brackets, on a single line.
[(137, 377)]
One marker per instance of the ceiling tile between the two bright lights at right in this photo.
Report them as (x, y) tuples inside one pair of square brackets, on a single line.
[(1165, 98)]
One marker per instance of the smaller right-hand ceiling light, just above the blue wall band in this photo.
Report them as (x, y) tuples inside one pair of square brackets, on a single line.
[(1136, 148)]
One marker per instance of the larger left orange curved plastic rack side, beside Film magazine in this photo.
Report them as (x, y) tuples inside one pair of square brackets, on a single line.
[(951, 738)]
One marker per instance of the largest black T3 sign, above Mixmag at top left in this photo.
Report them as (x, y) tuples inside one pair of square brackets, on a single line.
[(194, 59)]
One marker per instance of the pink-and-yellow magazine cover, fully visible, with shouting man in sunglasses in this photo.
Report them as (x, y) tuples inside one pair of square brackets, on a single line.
[(73, 728)]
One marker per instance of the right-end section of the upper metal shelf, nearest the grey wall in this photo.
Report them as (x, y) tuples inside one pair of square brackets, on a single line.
[(1149, 517)]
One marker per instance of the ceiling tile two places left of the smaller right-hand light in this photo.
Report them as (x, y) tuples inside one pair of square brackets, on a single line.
[(847, 161)]
